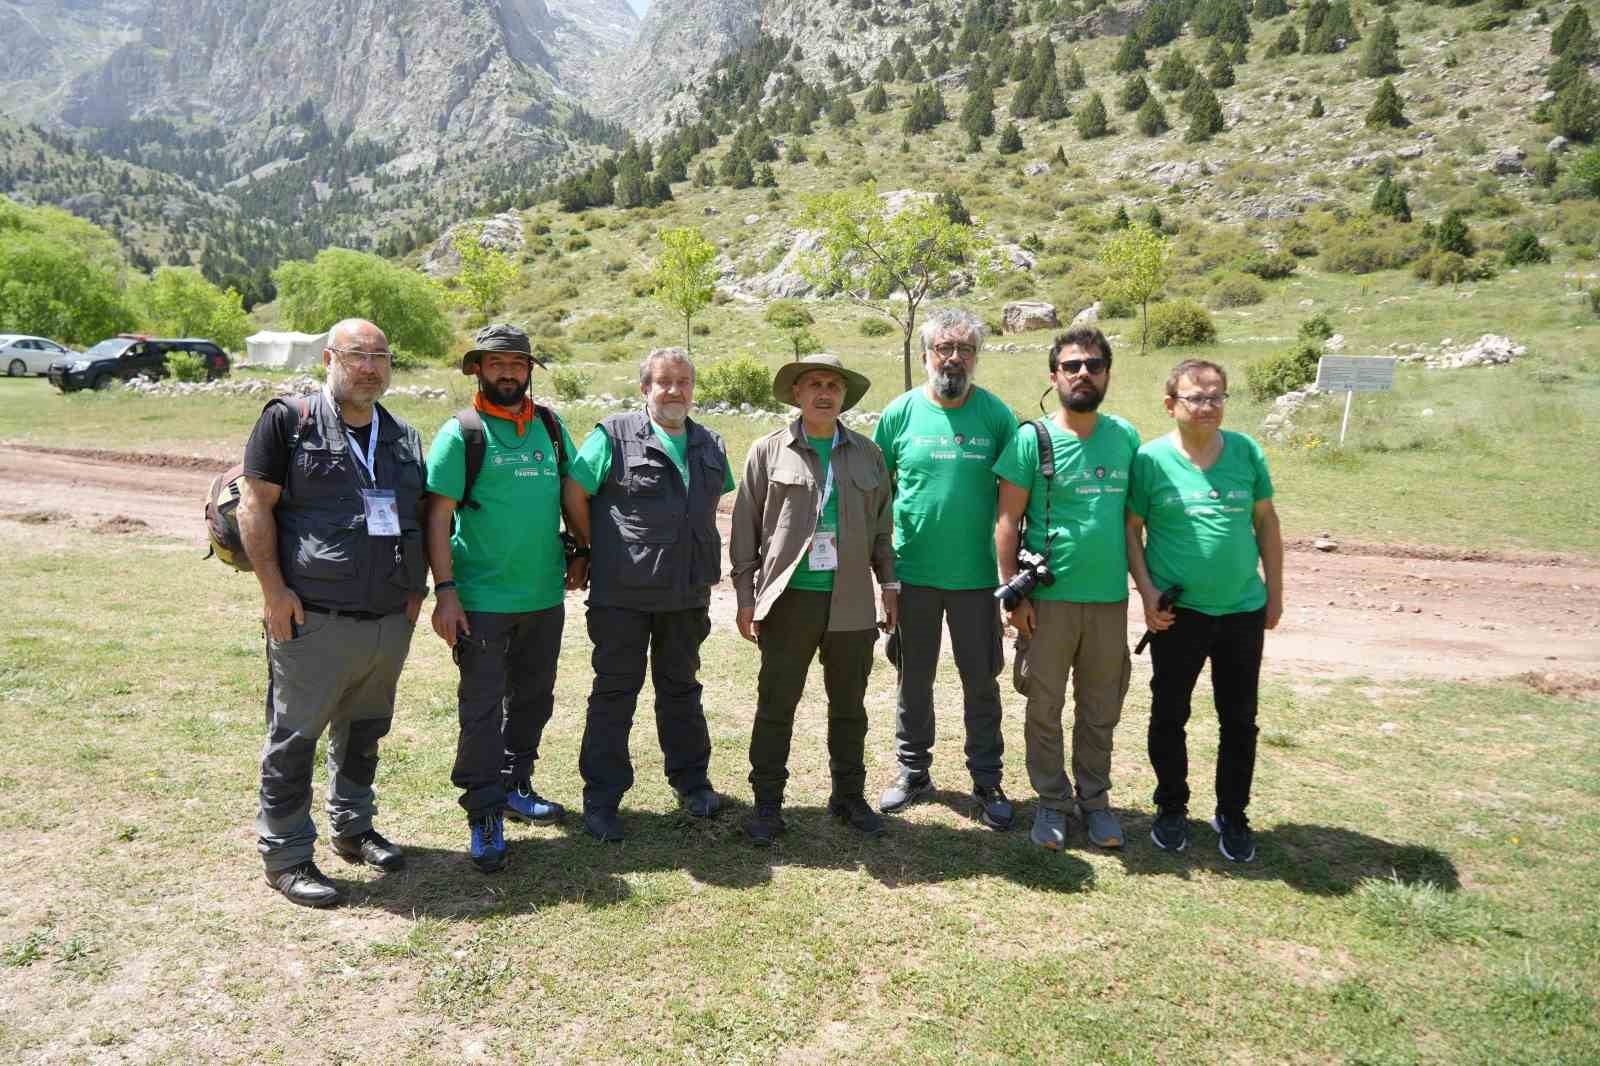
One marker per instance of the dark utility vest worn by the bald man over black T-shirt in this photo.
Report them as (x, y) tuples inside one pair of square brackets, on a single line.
[(324, 548)]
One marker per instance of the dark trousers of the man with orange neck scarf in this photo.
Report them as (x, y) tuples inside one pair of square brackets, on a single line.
[(505, 700)]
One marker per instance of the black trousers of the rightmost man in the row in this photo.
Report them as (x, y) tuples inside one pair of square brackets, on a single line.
[(1234, 644)]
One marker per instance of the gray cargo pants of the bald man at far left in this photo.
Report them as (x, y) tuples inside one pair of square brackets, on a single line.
[(335, 675)]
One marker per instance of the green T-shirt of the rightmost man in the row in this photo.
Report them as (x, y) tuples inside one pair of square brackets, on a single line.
[(1201, 526)]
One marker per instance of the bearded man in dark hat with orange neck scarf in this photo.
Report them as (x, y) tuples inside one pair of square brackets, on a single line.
[(500, 572)]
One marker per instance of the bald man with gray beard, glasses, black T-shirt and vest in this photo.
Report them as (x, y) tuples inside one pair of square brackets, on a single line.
[(330, 518)]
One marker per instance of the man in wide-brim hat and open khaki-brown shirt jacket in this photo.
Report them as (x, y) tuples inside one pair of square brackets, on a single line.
[(812, 518)]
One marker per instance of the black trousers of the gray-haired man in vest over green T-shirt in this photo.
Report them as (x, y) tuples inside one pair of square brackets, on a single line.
[(623, 641)]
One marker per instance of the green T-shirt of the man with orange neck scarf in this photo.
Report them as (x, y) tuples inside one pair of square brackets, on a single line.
[(506, 553)]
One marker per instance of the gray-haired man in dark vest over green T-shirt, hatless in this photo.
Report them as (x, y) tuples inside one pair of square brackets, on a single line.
[(647, 487)]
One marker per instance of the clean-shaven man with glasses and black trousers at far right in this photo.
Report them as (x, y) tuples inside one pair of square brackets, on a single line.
[(1201, 518)]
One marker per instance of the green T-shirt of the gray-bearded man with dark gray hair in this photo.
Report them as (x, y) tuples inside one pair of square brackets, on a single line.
[(945, 495)]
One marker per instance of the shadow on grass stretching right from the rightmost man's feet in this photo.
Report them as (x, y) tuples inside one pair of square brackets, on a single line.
[(1316, 860)]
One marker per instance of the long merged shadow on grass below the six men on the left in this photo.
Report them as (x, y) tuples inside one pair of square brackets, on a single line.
[(566, 865)]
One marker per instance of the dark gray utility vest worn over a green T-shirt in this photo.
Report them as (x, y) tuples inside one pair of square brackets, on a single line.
[(655, 545)]
